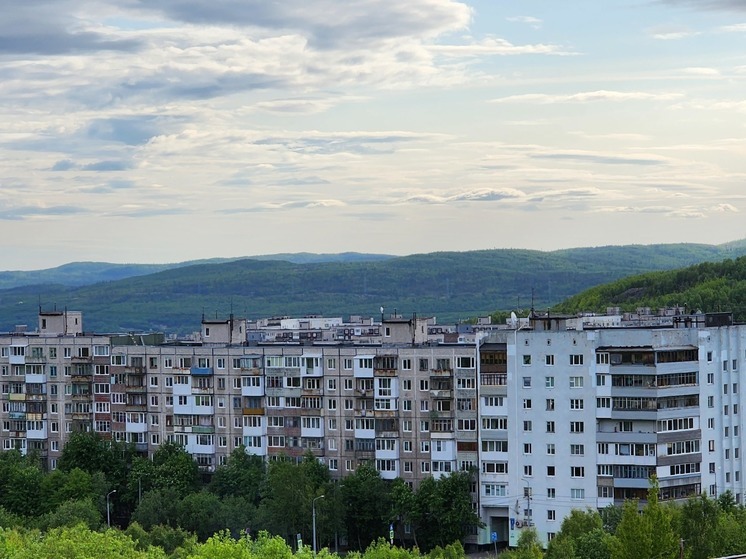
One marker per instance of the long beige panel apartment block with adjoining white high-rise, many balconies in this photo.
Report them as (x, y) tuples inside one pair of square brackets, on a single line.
[(551, 414)]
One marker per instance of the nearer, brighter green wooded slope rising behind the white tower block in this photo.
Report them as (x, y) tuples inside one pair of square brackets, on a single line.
[(708, 287)]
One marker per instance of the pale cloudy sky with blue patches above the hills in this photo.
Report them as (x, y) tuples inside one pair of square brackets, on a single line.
[(158, 131)]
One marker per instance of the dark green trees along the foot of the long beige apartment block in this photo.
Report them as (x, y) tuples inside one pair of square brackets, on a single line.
[(169, 499)]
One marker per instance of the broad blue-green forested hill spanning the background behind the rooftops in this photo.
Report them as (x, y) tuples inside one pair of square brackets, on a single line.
[(448, 285)]
